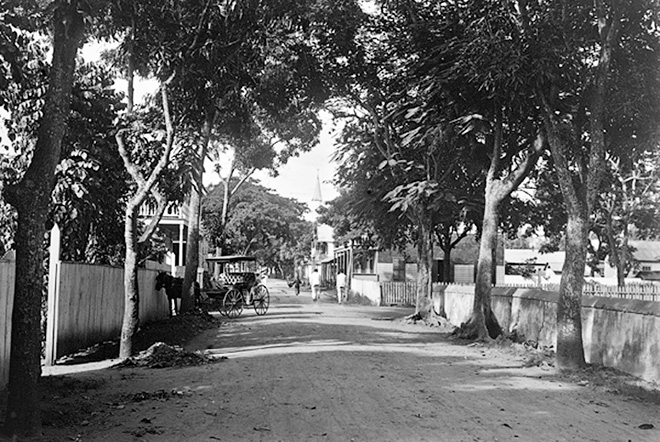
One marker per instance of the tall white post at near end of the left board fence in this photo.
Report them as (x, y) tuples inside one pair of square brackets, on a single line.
[(53, 293)]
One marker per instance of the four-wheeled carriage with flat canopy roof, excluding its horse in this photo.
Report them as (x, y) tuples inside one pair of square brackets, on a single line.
[(237, 285)]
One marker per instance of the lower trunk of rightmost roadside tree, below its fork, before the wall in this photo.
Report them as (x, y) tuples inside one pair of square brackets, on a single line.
[(570, 353)]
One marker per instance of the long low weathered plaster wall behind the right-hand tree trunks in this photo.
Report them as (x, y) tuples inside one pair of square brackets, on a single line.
[(618, 333)]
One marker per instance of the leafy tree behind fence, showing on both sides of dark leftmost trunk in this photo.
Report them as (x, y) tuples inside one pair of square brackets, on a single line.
[(90, 182)]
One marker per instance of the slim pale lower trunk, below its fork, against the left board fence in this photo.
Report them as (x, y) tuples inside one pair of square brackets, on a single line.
[(131, 321)]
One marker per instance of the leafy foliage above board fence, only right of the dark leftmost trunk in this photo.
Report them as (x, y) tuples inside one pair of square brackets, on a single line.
[(91, 182)]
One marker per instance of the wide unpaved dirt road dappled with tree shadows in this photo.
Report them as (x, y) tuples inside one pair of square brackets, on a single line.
[(326, 372)]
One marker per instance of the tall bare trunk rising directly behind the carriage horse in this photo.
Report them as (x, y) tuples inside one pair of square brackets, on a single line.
[(194, 218)]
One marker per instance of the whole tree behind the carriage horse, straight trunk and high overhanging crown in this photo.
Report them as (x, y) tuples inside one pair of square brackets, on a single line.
[(262, 57)]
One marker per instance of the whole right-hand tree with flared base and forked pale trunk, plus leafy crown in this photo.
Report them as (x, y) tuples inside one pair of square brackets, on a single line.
[(460, 104)]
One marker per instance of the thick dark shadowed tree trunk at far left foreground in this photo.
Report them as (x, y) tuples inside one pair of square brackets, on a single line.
[(31, 199)]
